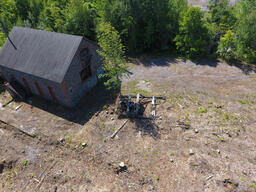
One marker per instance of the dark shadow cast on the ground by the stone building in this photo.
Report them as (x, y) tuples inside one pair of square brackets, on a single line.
[(96, 100)]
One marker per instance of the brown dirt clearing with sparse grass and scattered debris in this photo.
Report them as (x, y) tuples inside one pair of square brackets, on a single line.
[(205, 139)]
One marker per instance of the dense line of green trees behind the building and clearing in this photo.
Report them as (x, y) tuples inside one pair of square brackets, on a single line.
[(142, 26)]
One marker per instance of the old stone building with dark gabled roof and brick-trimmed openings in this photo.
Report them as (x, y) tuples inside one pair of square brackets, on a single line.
[(54, 66)]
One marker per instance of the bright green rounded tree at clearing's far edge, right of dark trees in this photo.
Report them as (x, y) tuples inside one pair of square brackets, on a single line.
[(192, 39)]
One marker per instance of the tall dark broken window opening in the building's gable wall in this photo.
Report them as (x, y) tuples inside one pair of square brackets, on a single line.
[(85, 59)]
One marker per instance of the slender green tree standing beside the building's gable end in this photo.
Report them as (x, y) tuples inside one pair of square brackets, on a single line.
[(112, 52)]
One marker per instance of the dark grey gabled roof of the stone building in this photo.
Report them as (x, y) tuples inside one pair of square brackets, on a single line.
[(44, 54)]
